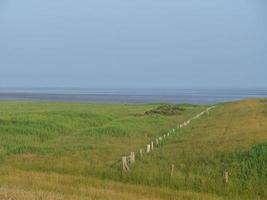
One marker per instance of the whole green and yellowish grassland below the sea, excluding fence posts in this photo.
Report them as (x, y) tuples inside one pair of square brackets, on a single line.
[(72, 151)]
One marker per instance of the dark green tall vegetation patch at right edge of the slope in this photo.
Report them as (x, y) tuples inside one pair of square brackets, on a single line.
[(247, 169)]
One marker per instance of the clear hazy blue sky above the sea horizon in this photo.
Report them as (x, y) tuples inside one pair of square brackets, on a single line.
[(133, 43)]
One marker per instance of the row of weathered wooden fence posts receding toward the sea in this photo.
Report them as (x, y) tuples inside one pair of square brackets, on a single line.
[(129, 160)]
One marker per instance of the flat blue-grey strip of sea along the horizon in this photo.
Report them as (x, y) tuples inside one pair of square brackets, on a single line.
[(200, 96)]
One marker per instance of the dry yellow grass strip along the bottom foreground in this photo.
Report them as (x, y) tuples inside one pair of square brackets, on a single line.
[(21, 185)]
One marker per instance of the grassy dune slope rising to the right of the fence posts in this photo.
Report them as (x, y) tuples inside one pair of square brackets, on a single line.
[(232, 138)]
